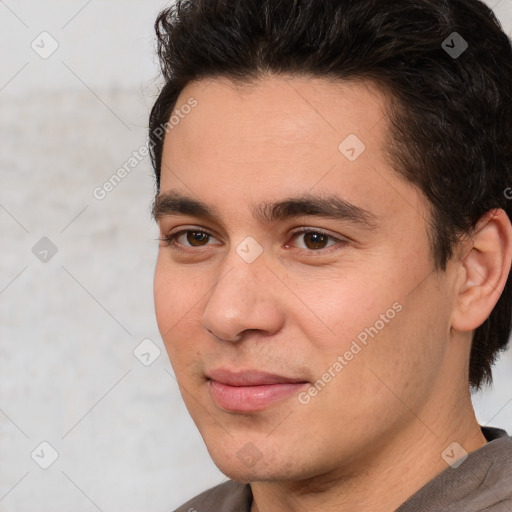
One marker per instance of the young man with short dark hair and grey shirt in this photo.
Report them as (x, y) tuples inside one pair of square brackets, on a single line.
[(333, 184)]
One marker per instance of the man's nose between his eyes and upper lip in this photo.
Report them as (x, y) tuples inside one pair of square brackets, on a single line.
[(243, 300)]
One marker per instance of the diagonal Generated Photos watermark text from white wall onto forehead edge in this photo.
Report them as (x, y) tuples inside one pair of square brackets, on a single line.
[(137, 156)]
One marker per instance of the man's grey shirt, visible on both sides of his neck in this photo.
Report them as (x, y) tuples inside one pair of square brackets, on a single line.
[(482, 483)]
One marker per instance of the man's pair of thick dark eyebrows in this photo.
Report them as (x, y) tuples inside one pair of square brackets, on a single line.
[(327, 205)]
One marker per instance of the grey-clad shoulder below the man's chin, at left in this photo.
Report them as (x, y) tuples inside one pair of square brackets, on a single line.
[(230, 496)]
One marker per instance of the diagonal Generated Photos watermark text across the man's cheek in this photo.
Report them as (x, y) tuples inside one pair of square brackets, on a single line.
[(355, 348)]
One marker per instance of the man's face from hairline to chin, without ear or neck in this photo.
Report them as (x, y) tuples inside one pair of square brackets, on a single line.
[(294, 286)]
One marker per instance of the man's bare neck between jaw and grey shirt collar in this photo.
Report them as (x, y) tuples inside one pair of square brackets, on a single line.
[(409, 460)]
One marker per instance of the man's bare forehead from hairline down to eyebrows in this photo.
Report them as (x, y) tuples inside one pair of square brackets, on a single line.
[(282, 136)]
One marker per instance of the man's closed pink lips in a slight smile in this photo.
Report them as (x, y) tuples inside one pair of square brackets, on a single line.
[(250, 390)]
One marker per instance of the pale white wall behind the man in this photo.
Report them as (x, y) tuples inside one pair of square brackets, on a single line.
[(68, 327)]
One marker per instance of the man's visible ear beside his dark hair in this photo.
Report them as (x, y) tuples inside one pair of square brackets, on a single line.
[(483, 271)]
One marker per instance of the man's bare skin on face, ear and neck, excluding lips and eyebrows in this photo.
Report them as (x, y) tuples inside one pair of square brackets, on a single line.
[(382, 422)]
